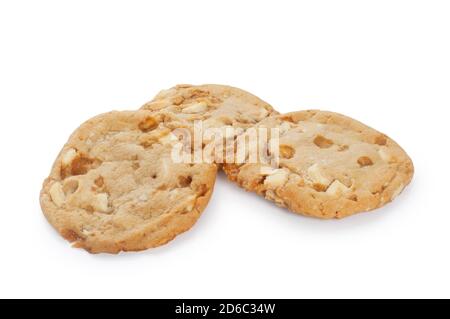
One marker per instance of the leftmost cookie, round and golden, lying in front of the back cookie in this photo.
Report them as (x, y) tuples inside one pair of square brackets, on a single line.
[(114, 187)]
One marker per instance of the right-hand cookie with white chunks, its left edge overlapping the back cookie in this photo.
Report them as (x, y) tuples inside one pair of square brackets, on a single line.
[(330, 166)]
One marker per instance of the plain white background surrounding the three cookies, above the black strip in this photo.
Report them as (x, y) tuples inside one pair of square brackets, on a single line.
[(386, 63)]
